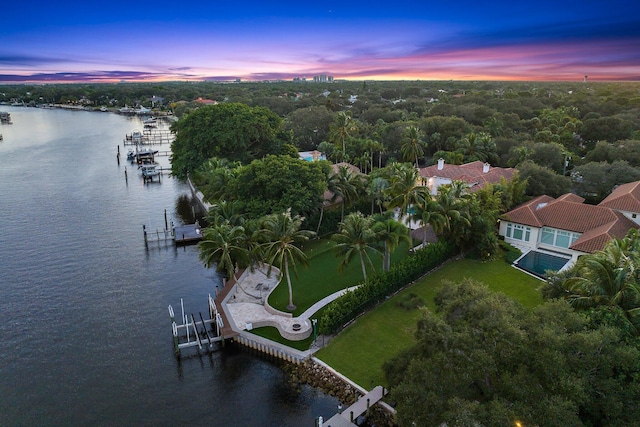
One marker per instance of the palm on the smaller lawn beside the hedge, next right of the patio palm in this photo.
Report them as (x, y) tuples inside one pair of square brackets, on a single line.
[(355, 237)]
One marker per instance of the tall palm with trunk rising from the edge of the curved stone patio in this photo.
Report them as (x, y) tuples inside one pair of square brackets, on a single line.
[(281, 232)]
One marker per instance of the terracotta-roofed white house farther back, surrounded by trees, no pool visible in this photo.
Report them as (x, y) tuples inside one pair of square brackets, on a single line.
[(475, 174)]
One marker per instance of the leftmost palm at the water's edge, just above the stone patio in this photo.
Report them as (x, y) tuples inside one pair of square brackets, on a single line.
[(223, 245)]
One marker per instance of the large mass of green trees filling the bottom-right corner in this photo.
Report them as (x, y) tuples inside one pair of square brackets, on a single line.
[(484, 360)]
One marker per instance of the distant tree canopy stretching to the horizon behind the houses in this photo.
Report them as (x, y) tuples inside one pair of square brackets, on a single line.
[(559, 126)]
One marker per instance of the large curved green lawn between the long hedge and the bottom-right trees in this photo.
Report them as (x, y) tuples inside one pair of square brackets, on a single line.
[(361, 349)]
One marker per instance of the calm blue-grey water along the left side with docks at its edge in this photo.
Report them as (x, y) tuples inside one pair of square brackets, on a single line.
[(85, 337)]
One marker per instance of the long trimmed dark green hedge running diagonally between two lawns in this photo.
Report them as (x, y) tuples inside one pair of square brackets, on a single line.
[(383, 284)]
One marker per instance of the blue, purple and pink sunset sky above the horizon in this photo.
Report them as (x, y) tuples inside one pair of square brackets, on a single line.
[(110, 41)]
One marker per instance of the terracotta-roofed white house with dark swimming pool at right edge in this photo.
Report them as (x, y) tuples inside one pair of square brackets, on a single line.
[(555, 232)]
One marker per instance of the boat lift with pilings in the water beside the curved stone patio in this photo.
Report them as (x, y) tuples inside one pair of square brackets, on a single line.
[(193, 333)]
